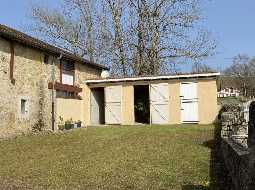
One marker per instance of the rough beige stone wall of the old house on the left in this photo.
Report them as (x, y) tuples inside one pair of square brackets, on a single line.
[(31, 76)]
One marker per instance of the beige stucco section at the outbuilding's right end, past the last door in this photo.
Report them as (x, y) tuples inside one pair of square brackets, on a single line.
[(207, 101)]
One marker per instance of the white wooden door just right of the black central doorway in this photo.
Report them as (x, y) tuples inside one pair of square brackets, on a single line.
[(159, 99)]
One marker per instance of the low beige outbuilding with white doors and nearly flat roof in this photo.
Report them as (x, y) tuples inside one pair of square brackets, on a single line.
[(172, 99)]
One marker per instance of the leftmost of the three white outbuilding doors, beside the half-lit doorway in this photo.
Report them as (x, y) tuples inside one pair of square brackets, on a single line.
[(113, 104)]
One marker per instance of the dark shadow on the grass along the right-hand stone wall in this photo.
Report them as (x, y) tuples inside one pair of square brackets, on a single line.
[(219, 177)]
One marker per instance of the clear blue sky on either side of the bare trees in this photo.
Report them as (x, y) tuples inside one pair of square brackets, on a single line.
[(231, 22)]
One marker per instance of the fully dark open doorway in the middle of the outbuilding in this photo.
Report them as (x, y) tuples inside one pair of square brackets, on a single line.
[(142, 104)]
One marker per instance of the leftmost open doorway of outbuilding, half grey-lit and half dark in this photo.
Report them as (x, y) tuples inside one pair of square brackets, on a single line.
[(97, 106)]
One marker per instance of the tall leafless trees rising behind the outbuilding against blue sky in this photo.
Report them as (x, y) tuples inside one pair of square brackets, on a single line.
[(134, 37)]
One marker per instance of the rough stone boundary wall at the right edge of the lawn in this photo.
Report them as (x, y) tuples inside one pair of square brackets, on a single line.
[(235, 149)]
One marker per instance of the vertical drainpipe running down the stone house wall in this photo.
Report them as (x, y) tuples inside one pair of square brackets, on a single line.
[(53, 99)]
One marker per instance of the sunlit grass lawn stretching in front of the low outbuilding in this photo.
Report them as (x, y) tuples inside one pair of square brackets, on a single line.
[(157, 157)]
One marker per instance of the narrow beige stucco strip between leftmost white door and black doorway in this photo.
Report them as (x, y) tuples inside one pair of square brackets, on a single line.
[(128, 117)]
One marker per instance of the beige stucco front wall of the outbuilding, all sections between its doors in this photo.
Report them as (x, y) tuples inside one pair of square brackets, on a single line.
[(207, 100)]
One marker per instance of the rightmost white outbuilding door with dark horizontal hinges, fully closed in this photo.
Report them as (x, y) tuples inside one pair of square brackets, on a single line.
[(189, 102)]
